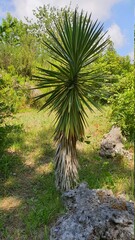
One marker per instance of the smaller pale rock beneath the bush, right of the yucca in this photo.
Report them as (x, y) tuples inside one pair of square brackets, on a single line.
[(112, 145)]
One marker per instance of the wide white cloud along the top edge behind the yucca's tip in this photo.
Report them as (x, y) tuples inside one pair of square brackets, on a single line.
[(100, 9)]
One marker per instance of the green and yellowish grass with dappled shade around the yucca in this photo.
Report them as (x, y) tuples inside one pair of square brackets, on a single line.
[(29, 201)]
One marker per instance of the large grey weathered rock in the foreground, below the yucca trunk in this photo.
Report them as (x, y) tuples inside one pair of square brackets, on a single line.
[(94, 215)]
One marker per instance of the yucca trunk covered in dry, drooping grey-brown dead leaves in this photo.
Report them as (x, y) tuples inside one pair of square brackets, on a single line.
[(66, 168)]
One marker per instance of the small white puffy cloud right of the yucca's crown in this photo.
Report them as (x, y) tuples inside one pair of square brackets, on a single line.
[(117, 36)]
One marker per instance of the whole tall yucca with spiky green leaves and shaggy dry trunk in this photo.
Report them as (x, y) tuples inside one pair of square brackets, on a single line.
[(74, 44)]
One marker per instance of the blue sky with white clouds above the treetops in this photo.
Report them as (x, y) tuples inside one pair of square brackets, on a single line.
[(117, 16)]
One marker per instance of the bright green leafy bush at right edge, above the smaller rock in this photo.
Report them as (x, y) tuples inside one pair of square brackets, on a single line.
[(123, 104)]
